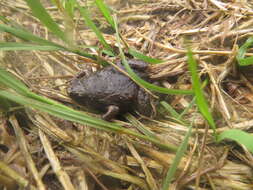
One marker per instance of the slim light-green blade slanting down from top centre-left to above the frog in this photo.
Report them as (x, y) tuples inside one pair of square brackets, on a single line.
[(86, 15)]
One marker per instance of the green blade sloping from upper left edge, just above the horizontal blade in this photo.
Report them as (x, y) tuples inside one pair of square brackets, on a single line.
[(26, 35)]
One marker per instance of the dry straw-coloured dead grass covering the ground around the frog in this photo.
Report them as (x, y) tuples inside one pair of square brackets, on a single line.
[(66, 155)]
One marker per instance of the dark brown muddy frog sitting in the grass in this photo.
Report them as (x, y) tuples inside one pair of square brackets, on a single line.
[(112, 92)]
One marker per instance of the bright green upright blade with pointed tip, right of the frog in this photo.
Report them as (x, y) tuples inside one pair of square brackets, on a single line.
[(200, 98)]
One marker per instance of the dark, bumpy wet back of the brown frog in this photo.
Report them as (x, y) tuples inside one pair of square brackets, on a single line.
[(110, 87)]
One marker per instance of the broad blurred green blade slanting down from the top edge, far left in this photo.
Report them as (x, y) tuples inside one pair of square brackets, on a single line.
[(40, 12)]
